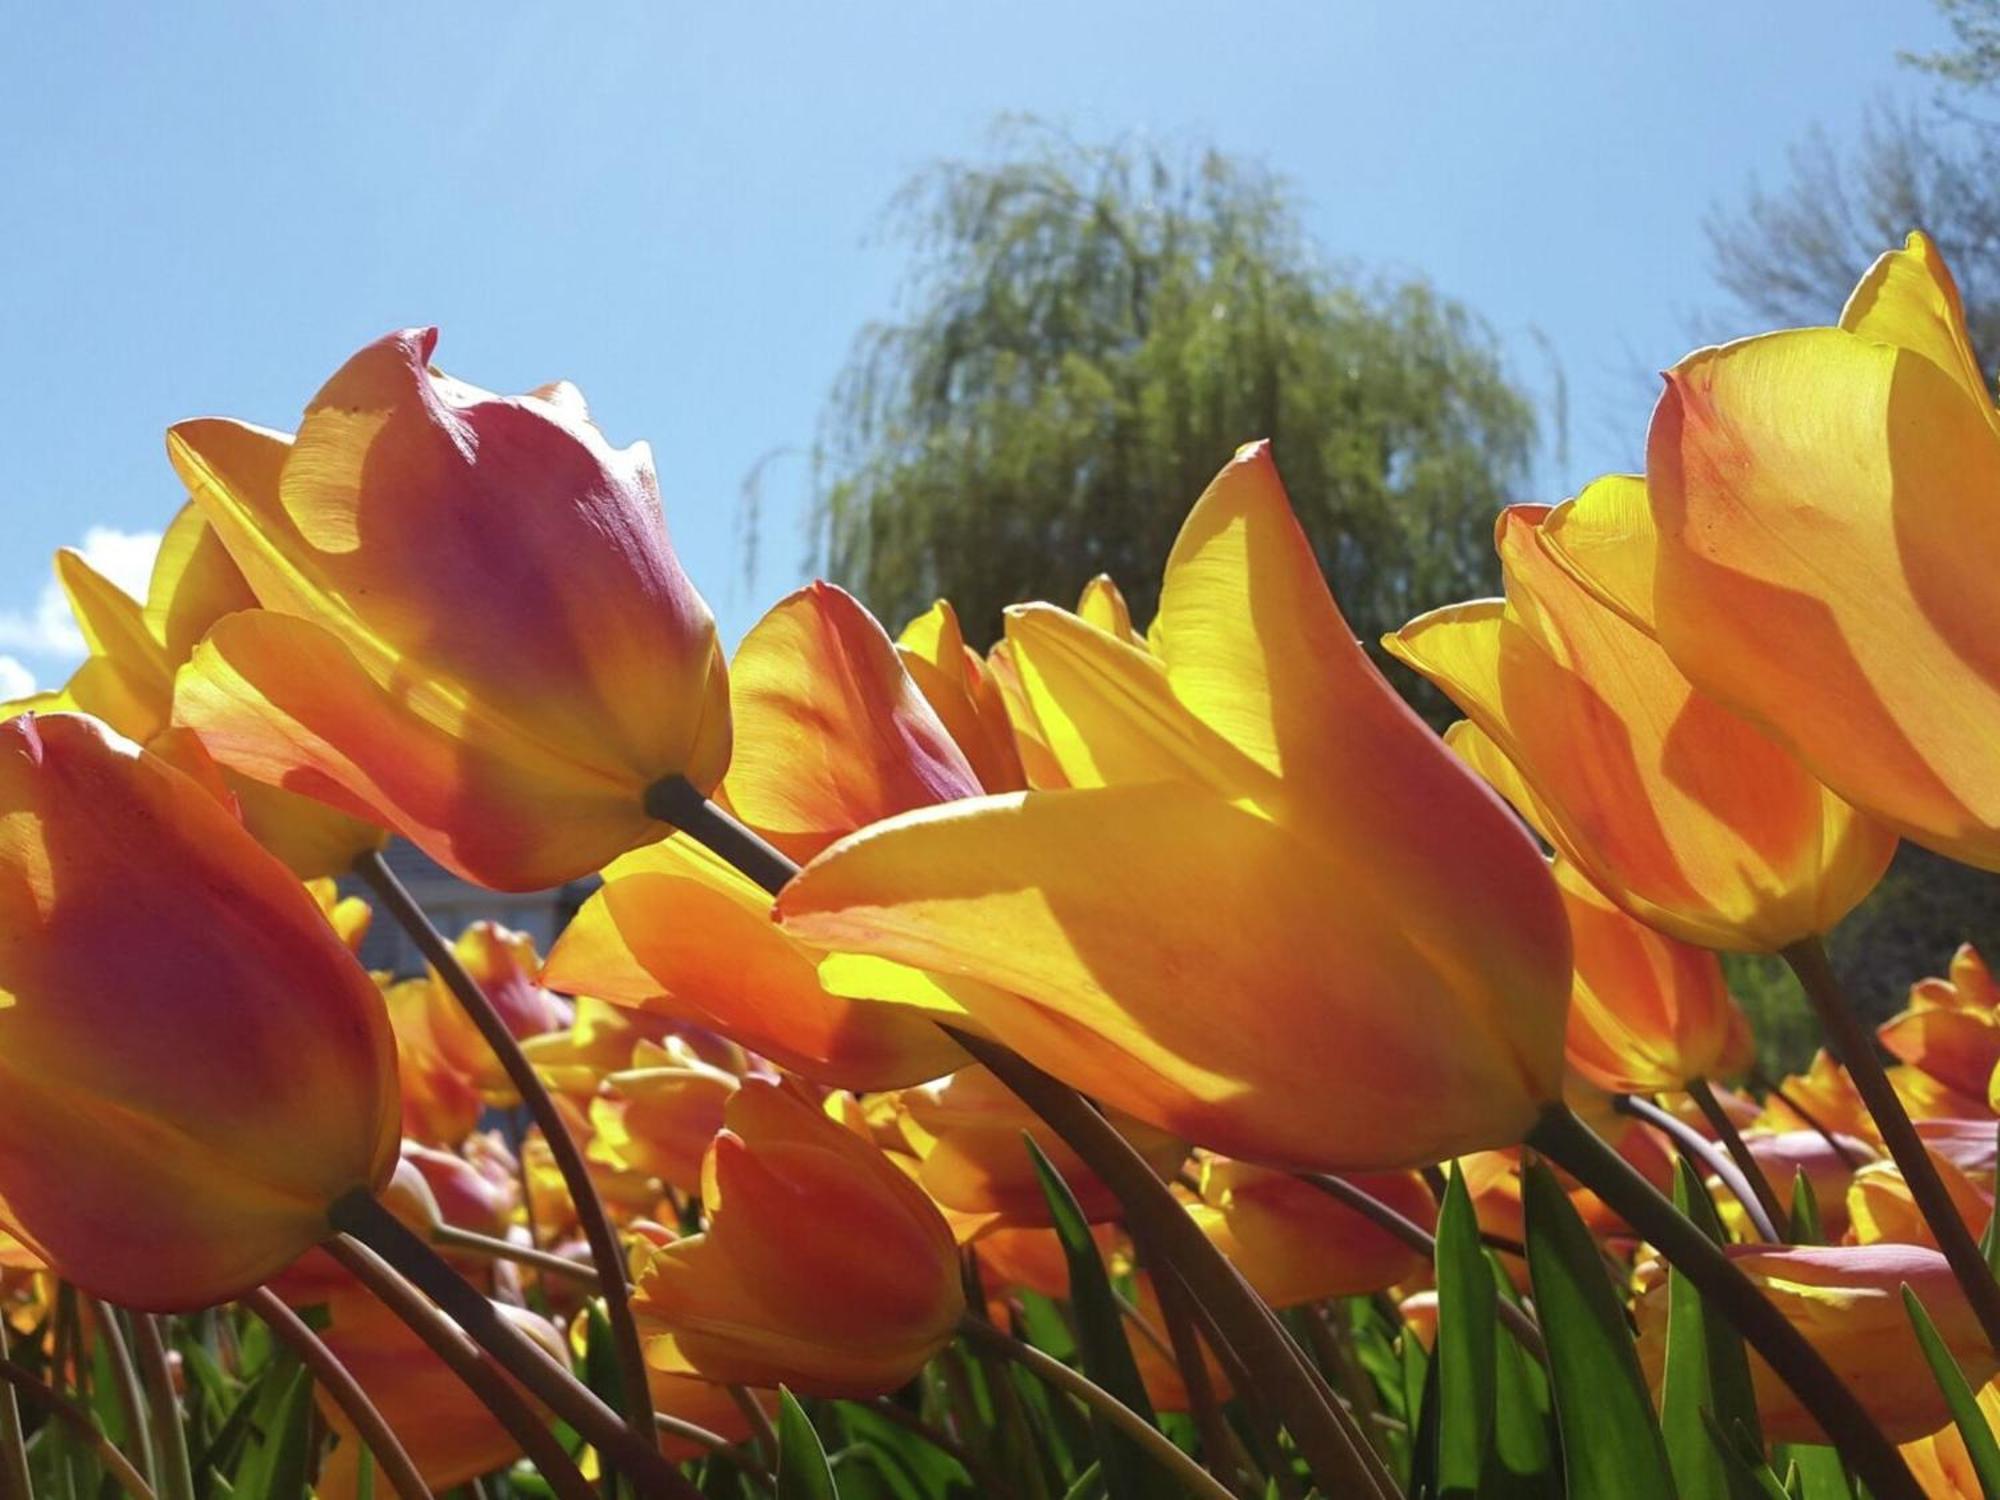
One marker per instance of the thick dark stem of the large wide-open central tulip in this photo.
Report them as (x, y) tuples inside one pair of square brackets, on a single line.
[(1567, 1141)]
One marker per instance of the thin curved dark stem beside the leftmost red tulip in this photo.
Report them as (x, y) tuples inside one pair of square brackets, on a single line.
[(605, 1247)]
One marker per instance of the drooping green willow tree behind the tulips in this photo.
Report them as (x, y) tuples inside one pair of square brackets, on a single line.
[(1089, 333)]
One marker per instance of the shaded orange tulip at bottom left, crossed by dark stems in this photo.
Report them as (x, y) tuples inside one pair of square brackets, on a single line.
[(447, 1431)]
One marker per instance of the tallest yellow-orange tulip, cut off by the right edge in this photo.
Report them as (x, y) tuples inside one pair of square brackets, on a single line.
[(1815, 549)]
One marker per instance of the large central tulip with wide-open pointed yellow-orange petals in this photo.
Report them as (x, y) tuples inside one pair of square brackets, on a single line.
[(1257, 781)]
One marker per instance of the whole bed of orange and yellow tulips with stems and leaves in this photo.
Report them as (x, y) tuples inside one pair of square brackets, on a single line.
[(1129, 1063)]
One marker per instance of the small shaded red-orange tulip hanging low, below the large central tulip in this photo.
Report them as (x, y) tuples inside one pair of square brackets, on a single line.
[(823, 1267)]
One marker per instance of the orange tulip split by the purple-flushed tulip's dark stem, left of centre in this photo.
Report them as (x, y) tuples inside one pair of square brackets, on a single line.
[(831, 737)]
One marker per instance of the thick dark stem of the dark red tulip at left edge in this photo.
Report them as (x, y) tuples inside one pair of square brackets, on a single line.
[(639, 1455)]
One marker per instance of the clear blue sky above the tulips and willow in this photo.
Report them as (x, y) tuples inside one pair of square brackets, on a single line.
[(679, 207)]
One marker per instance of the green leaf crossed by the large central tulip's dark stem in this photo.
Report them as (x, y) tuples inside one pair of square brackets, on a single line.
[(1707, 1371)]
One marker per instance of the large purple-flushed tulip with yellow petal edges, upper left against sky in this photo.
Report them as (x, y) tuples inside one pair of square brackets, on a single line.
[(473, 625)]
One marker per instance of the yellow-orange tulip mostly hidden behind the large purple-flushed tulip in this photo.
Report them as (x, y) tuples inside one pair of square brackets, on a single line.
[(129, 681)]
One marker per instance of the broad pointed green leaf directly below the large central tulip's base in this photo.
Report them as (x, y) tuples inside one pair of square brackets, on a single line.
[(1611, 1443)]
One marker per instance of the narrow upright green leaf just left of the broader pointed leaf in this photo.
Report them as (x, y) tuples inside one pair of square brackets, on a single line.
[(1465, 1347)]
